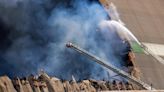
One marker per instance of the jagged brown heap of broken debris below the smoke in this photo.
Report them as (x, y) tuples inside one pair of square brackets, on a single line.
[(44, 83)]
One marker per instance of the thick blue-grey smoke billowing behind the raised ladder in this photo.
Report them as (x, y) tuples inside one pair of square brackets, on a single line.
[(37, 31)]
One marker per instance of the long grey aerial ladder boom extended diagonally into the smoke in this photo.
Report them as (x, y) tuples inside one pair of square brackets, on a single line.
[(109, 66)]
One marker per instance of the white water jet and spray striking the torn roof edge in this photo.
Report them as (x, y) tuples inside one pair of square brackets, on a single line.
[(124, 32)]
